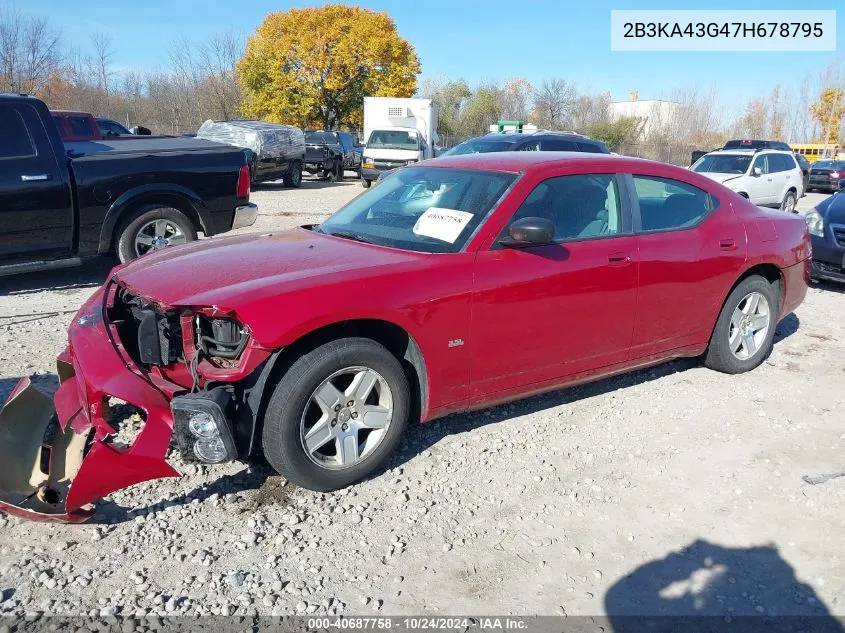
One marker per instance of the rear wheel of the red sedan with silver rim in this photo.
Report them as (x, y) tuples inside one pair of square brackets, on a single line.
[(745, 330)]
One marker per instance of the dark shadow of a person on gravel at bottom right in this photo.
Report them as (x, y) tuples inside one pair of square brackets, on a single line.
[(696, 588)]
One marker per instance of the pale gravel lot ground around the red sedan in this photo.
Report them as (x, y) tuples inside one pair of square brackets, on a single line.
[(672, 490)]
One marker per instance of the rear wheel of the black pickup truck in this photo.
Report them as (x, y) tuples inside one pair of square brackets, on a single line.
[(151, 229)]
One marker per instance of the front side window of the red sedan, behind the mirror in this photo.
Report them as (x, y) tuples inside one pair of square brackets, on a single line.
[(580, 207)]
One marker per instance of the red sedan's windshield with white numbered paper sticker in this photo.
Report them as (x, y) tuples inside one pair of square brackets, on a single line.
[(423, 209)]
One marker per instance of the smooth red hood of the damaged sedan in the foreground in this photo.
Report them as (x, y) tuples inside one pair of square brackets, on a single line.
[(228, 272)]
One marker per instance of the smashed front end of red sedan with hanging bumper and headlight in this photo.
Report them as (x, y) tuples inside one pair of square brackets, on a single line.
[(192, 373)]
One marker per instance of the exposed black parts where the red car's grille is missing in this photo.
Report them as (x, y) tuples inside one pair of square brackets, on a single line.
[(150, 336)]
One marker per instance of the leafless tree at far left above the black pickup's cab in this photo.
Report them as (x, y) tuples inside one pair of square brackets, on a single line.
[(29, 51)]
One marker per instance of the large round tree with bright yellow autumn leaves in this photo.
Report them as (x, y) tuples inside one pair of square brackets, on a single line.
[(313, 67)]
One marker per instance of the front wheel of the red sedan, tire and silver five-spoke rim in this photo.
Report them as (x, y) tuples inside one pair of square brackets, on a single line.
[(336, 414)]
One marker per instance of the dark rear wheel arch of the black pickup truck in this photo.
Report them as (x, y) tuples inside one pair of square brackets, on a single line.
[(169, 194)]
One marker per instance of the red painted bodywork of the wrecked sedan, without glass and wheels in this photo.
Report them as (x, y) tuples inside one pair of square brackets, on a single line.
[(531, 320)]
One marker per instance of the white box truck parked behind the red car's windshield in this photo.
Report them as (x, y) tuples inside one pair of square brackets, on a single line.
[(396, 132)]
